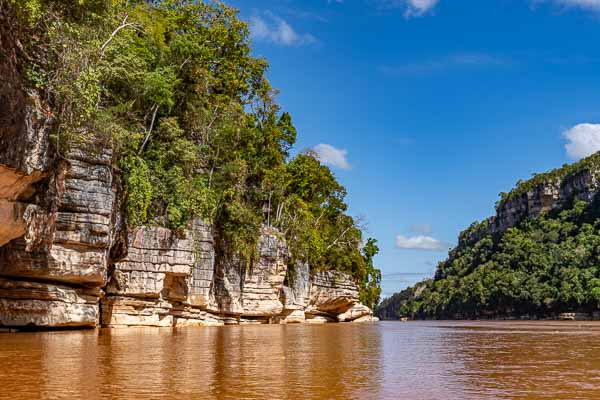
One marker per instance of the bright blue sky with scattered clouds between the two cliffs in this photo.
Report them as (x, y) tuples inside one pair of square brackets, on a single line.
[(426, 109)]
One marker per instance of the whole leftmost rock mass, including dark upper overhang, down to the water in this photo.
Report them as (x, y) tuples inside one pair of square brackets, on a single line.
[(56, 222)]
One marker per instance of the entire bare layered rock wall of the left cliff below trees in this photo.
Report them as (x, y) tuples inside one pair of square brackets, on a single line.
[(67, 258)]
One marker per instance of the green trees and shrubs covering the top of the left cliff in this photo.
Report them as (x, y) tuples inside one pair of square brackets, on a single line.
[(171, 88)]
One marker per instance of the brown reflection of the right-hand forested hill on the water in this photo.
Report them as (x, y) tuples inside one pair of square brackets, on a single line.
[(542, 361)]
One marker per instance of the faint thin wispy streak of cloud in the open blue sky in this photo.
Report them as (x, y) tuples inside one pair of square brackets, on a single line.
[(452, 61)]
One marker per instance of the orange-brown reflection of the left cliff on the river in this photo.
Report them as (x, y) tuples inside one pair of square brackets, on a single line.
[(222, 363)]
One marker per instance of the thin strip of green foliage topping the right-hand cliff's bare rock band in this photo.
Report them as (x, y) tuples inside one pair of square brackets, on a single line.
[(556, 176)]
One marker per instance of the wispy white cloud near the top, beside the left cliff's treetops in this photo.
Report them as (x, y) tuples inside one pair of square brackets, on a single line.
[(276, 30)]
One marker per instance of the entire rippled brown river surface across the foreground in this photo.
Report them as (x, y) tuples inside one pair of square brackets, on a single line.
[(416, 360)]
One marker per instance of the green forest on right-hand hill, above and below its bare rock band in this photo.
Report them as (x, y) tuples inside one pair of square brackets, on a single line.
[(541, 267)]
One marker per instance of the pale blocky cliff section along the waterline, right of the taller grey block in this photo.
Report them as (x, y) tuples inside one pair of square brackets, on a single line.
[(173, 280)]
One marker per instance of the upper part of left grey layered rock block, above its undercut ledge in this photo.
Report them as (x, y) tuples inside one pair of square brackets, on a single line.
[(67, 240)]
